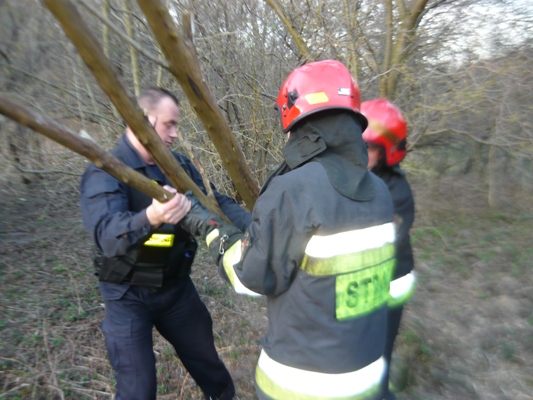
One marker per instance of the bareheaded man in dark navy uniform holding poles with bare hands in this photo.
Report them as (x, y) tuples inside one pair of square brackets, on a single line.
[(143, 260)]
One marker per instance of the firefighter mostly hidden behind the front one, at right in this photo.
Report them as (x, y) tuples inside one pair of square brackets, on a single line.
[(386, 139)]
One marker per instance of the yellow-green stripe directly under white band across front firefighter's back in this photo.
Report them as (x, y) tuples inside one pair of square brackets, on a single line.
[(345, 263)]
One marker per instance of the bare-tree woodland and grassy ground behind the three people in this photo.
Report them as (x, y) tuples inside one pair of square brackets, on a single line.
[(459, 70)]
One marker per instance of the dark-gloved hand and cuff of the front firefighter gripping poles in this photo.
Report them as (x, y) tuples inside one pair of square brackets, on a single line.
[(202, 222)]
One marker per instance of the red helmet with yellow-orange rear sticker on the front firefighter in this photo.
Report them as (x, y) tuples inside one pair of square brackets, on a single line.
[(314, 87)]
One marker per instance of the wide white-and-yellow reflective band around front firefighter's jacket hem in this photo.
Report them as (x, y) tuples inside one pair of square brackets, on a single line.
[(283, 382)]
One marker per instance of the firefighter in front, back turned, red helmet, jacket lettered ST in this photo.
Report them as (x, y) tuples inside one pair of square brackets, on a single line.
[(320, 247)]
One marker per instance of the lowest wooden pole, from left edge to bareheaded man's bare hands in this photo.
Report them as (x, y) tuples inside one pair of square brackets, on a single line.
[(84, 147)]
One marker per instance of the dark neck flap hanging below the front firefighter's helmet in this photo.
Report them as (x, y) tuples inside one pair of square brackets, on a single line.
[(334, 139)]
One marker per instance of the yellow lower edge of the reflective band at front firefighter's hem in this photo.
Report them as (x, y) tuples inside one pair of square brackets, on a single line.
[(275, 391)]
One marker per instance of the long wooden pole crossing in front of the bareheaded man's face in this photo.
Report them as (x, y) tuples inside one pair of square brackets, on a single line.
[(80, 35)]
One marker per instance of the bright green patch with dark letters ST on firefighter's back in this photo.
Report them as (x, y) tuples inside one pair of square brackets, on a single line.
[(361, 292)]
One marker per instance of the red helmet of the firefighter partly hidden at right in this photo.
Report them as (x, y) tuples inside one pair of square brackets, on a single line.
[(386, 128)]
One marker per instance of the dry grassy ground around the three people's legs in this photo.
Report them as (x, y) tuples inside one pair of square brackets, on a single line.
[(466, 334)]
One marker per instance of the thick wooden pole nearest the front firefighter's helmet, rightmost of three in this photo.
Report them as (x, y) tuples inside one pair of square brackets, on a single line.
[(181, 55)]
